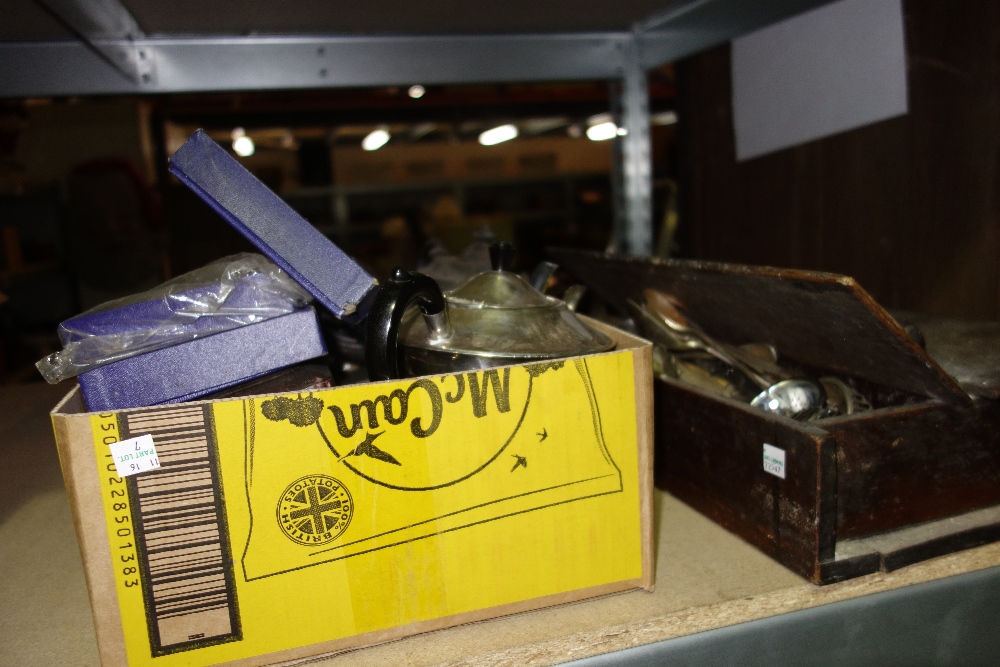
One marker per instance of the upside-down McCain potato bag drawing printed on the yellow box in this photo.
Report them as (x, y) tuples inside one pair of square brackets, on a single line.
[(433, 455)]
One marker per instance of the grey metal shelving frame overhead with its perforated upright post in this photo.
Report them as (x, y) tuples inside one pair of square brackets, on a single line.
[(113, 56)]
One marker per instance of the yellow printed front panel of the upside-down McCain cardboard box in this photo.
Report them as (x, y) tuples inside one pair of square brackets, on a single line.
[(284, 521)]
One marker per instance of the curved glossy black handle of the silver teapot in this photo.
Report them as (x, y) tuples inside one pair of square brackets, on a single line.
[(384, 359)]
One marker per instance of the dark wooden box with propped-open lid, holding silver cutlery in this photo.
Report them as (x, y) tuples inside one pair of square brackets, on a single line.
[(912, 479)]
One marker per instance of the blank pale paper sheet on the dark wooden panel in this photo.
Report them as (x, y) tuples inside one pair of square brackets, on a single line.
[(819, 73)]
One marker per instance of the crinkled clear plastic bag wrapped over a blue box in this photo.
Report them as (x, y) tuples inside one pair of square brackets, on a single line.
[(228, 293)]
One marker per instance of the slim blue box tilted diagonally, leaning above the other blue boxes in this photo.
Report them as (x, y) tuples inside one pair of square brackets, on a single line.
[(289, 240)]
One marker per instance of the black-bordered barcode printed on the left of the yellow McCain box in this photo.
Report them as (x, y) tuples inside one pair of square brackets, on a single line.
[(184, 558)]
